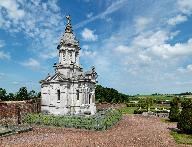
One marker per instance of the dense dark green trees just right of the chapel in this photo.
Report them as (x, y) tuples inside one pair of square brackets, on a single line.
[(110, 95)]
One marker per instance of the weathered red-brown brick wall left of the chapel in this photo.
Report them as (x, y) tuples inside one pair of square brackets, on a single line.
[(12, 112)]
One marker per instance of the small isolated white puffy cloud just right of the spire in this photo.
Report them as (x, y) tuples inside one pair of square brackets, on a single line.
[(88, 35)]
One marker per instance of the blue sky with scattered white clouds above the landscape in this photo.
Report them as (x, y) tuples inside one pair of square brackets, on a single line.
[(137, 46)]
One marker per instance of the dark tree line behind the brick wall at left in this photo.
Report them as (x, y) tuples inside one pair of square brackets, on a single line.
[(21, 95)]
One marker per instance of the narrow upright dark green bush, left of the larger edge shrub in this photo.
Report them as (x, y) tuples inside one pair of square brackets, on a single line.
[(174, 111)]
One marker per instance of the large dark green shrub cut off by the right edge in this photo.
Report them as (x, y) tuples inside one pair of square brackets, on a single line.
[(185, 119)]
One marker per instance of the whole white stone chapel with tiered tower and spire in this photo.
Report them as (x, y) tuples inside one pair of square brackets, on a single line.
[(70, 90)]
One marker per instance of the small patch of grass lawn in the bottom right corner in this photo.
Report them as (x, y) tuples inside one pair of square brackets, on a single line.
[(182, 138)]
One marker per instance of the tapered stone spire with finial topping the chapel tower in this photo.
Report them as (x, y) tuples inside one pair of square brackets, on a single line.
[(68, 38)]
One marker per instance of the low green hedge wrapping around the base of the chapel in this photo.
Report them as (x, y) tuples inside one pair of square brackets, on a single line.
[(101, 121)]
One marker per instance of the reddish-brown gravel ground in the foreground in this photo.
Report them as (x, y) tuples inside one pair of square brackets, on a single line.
[(132, 130)]
